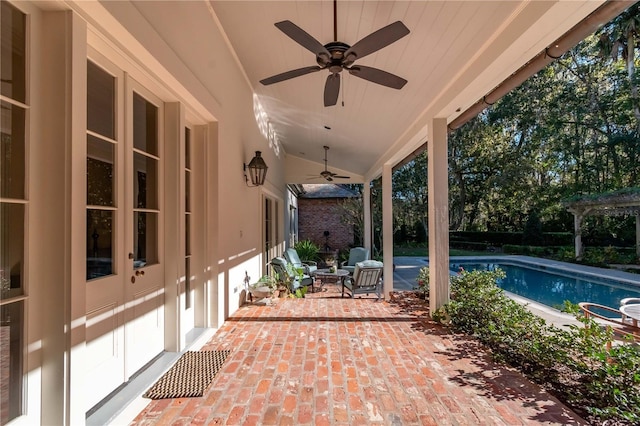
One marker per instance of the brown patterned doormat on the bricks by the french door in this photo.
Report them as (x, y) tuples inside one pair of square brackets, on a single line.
[(190, 376)]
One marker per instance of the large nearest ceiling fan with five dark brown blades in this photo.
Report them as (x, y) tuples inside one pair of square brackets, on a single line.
[(337, 56)]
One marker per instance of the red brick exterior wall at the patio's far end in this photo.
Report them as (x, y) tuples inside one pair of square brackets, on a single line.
[(316, 215)]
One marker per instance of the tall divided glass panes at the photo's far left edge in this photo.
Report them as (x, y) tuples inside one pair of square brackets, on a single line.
[(14, 110)]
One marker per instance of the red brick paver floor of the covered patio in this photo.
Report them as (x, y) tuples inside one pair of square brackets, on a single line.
[(324, 360)]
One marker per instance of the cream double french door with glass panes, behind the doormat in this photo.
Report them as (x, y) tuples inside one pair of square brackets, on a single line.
[(125, 277)]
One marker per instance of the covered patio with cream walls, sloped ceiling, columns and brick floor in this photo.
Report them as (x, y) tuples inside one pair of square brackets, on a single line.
[(129, 129)]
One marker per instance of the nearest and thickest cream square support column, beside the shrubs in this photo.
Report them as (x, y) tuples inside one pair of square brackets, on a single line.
[(438, 184)]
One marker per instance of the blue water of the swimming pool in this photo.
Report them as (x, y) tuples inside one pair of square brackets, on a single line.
[(553, 288)]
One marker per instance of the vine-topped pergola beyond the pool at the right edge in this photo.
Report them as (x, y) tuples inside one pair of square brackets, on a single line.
[(618, 203)]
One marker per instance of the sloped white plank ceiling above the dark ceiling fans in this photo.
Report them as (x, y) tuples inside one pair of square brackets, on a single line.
[(456, 52)]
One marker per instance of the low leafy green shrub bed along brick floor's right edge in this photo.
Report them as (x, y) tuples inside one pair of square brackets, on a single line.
[(574, 364)]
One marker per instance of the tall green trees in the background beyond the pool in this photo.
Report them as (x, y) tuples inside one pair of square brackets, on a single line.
[(571, 129)]
